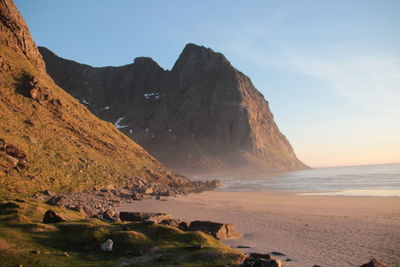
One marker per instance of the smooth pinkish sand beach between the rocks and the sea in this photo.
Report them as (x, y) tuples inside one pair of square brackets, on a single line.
[(325, 230)]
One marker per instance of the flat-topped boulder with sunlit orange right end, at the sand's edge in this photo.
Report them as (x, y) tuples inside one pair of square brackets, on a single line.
[(218, 230)]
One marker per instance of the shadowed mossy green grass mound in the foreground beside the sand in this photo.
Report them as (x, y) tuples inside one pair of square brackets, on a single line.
[(21, 232)]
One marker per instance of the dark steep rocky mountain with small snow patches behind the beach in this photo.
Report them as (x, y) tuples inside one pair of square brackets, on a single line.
[(202, 116)]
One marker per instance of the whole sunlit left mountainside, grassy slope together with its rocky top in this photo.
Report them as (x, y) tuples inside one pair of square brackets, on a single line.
[(48, 140)]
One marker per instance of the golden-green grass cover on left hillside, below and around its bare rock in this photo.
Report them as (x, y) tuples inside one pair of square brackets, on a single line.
[(74, 149)]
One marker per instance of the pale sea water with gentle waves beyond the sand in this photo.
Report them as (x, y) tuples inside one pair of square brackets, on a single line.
[(371, 180)]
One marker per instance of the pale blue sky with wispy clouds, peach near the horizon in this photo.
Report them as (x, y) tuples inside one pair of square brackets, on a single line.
[(329, 69)]
